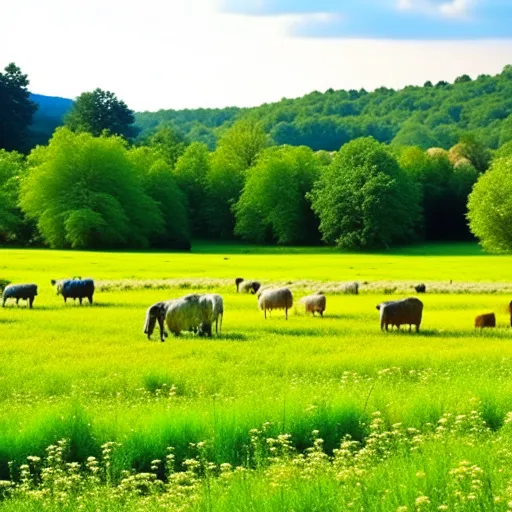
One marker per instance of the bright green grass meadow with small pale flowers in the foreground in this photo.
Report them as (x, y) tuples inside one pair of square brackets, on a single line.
[(88, 375)]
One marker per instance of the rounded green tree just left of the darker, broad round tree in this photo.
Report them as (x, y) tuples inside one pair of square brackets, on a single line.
[(273, 206)]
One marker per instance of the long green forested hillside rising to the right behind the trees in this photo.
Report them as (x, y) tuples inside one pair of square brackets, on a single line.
[(428, 116)]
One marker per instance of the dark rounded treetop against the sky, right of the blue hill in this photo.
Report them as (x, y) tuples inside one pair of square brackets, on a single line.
[(97, 111)]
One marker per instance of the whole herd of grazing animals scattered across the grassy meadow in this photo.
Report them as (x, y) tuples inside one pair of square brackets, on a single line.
[(198, 313)]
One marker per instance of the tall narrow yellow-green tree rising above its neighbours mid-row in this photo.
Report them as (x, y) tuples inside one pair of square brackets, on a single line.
[(237, 152)]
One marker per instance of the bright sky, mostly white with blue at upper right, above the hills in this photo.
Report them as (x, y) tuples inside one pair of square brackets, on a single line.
[(159, 54)]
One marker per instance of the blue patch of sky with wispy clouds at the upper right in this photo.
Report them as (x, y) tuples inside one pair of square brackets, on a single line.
[(389, 19)]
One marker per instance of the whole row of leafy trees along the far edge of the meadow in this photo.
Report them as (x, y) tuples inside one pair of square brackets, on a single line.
[(96, 185)]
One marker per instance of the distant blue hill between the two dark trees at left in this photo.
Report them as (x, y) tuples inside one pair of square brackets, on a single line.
[(49, 115)]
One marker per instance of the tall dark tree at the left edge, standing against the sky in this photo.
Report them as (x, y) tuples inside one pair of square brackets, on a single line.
[(16, 109)]
